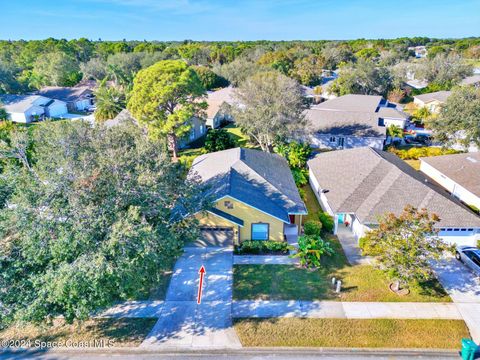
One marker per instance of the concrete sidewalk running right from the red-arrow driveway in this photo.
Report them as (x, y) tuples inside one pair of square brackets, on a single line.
[(347, 310)]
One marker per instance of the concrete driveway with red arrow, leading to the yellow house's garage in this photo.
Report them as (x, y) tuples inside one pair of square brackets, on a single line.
[(183, 322)]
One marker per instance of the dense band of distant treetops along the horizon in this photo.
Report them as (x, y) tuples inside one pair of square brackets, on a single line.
[(27, 65)]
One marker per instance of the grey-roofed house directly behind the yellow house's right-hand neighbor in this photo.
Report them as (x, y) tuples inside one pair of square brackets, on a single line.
[(351, 121)]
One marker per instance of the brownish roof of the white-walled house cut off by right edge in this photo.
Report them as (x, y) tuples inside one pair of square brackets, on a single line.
[(464, 169)]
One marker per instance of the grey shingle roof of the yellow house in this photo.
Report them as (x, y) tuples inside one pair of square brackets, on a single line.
[(258, 179)]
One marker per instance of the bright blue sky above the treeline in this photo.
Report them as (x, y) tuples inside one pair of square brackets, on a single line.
[(237, 19)]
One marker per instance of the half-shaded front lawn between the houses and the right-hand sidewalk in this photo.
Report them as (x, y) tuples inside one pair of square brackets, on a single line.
[(289, 282)]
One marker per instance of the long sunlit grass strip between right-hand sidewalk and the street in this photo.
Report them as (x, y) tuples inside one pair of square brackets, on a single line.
[(358, 333)]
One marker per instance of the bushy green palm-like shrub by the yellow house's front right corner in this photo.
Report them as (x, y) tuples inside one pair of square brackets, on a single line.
[(311, 248)]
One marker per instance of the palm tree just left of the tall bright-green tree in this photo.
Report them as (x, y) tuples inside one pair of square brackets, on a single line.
[(109, 101)]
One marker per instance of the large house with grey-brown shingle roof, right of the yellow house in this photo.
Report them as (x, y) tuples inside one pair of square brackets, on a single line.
[(357, 186)]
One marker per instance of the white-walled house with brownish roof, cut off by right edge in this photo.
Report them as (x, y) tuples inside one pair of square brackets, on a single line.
[(459, 174)]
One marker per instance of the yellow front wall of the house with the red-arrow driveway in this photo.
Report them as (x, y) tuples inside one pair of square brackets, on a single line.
[(249, 216)]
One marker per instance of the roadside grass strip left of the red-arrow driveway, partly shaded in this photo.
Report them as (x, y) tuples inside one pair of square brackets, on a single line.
[(111, 332)]
